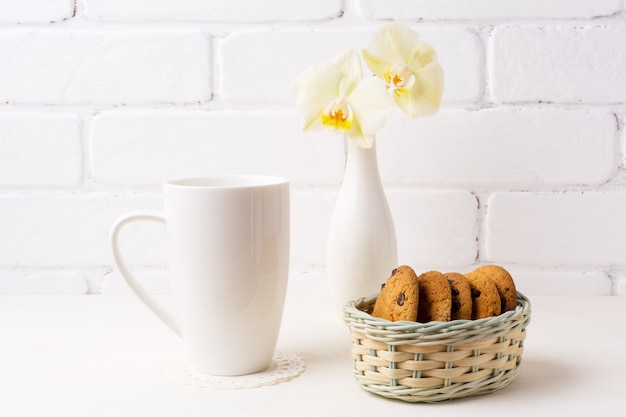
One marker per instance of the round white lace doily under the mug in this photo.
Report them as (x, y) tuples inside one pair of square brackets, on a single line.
[(284, 366)]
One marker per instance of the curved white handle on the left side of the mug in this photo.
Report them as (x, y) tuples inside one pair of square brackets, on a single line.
[(148, 300)]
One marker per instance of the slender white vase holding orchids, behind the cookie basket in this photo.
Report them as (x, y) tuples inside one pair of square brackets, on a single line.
[(362, 249)]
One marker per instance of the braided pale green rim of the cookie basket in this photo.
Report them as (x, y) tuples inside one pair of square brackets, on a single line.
[(353, 315)]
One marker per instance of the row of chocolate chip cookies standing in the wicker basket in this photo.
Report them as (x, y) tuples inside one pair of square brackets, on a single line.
[(434, 296)]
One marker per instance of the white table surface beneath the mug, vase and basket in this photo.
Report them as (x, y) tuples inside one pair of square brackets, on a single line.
[(107, 355)]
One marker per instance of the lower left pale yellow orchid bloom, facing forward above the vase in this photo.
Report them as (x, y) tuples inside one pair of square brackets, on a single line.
[(334, 96)]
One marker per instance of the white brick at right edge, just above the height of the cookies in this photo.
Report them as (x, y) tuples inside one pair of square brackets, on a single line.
[(565, 229)]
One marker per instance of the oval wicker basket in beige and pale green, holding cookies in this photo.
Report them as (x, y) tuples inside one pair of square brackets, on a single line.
[(431, 362)]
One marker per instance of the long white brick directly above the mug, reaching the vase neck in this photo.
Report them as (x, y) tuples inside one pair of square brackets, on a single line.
[(187, 143)]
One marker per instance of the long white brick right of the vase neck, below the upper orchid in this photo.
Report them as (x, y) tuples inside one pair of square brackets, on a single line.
[(501, 148)]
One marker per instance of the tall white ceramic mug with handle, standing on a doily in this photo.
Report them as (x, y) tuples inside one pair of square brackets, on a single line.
[(228, 261)]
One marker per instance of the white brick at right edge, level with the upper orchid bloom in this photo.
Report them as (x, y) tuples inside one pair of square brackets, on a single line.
[(587, 68)]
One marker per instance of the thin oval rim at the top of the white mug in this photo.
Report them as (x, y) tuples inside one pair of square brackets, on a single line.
[(227, 181)]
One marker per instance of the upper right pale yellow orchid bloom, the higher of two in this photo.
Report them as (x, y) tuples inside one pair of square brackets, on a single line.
[(409, 66)]
